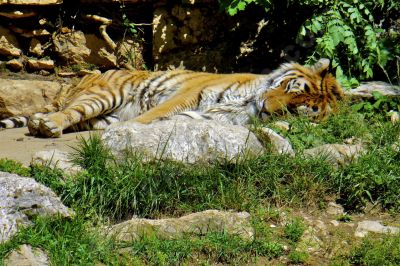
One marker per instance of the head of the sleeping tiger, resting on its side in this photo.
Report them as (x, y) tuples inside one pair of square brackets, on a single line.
[(312, 90)]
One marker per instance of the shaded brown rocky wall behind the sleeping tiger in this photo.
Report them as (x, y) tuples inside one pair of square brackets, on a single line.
[(78, 36)]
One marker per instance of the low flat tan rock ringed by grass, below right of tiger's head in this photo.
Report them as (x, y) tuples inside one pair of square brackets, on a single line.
[(336, 153)]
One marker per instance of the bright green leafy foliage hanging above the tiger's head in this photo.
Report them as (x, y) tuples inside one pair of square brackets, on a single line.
[(351, 33)]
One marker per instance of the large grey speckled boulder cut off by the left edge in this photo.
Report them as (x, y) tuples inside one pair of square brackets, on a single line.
[(21, 198)]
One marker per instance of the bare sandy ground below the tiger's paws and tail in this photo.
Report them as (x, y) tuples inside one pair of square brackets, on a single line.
[(16, 144)]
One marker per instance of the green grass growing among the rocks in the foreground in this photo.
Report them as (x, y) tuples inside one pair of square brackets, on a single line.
[(110, 190)]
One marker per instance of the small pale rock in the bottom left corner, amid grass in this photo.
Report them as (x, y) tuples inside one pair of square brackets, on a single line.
[(27, 256)]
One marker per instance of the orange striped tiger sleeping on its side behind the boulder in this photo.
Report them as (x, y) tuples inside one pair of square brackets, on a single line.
[(143, 96)]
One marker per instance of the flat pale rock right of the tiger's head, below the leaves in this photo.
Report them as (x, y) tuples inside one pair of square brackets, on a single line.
[(365, 90)]
